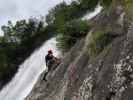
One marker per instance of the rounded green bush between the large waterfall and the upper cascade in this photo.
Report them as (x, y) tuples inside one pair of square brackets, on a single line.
[(71, 32)]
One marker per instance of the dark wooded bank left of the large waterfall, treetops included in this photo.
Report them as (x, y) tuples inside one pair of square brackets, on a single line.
[(18, 42)]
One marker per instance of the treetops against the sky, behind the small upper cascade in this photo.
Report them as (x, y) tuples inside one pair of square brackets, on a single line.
[(63, 12)]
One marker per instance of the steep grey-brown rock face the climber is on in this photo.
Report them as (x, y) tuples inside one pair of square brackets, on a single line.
[(108, 76)]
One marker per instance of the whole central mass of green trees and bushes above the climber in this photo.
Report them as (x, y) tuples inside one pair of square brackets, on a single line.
[(66, 20)]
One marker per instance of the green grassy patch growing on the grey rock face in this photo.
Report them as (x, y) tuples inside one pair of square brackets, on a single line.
[(99, 41)]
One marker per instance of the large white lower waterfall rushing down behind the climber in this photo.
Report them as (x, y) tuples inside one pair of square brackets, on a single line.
[(26, 77)]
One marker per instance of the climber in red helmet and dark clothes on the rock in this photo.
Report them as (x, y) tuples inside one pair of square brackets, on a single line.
[(51, 62)]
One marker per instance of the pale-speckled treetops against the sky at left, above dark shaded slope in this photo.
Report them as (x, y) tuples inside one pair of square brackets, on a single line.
[(22, 30)]
